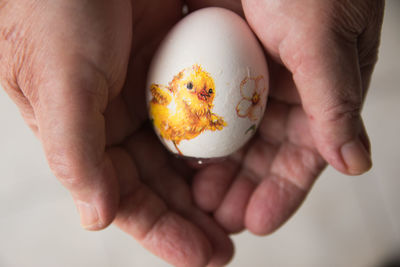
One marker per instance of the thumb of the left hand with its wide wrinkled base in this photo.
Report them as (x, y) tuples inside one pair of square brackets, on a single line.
[(64, 58)]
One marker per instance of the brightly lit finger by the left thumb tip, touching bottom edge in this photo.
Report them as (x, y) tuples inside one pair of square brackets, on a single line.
[(146, 217)]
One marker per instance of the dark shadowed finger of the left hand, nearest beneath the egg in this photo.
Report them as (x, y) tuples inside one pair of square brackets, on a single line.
[(159, 175)]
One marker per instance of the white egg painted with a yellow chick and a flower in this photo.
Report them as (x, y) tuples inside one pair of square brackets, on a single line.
[(208, 85)]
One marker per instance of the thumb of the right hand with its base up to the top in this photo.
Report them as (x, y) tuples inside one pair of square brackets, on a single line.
[(325, 65)]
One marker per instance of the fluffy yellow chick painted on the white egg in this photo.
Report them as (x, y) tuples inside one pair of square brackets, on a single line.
[(182, 110)]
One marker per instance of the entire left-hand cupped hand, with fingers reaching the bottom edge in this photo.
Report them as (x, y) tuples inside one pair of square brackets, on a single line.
[(76, 69)]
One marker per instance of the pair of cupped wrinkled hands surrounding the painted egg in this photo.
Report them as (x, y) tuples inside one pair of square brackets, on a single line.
[(77, 69)]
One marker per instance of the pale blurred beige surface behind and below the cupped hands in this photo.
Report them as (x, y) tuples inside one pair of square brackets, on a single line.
[(345, 221)]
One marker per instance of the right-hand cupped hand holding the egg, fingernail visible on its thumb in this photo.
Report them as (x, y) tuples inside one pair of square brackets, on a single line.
[(321, 57)]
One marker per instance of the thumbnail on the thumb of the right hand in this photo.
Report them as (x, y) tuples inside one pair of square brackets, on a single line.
[(356, 157)]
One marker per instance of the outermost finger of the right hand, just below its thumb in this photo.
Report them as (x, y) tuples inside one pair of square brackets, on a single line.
[(282, 191)]
